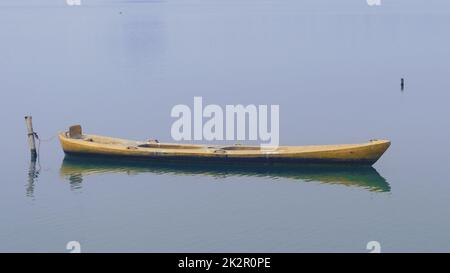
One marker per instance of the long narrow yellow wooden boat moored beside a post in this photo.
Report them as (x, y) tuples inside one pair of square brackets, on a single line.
[(75, 142)]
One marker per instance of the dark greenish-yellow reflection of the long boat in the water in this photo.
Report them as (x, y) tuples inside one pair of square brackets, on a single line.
[(75, 167)]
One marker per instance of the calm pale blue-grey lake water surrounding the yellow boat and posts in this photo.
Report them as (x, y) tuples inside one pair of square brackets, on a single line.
[(118, 67)]
